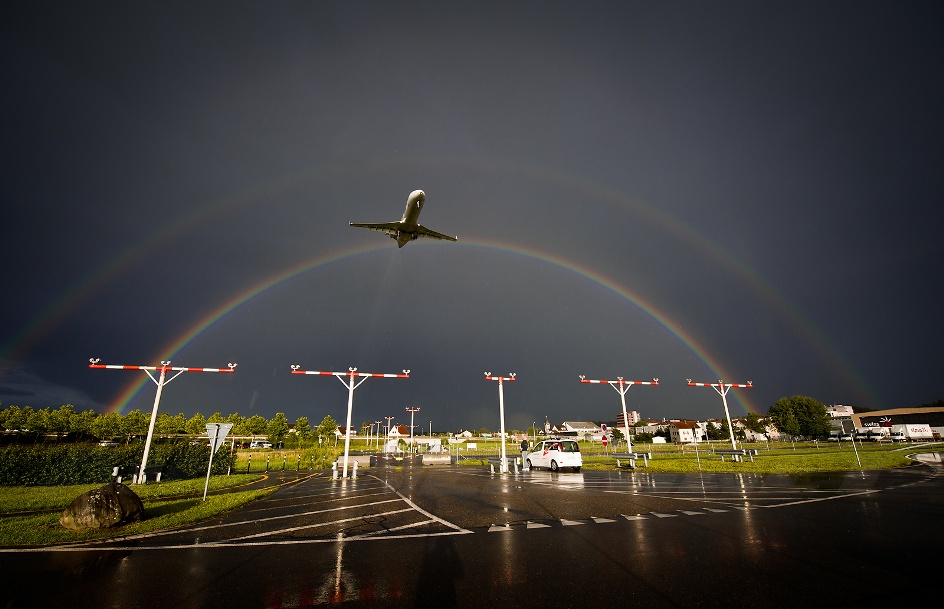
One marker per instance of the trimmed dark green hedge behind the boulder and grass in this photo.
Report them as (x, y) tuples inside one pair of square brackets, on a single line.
[(41, 465)]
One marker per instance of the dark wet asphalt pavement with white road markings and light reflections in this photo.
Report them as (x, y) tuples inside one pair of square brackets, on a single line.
[(445, 536)]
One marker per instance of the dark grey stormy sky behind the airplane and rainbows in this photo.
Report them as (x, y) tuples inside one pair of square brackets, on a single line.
[(674, 190)]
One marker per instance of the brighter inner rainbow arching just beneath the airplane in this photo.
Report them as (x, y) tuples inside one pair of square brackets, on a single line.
[(130, 392)]
